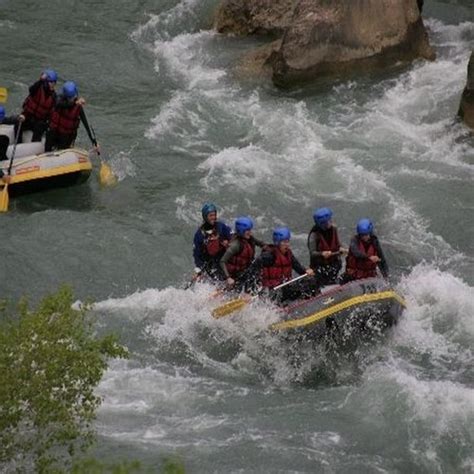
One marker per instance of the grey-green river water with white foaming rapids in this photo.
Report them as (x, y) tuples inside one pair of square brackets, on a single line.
[(180, 128)]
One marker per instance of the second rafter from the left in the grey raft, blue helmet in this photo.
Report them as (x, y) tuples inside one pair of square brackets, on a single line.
[(237, 263)]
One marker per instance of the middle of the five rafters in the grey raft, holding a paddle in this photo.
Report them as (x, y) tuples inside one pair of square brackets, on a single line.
[(277, 265)]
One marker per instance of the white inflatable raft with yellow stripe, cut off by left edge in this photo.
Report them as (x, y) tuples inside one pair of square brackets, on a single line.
[(34, 170)]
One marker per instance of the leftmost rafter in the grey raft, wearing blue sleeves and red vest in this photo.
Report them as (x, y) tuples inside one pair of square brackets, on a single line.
[(210, 243)]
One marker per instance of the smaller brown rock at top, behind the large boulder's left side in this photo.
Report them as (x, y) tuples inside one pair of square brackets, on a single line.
[(248, 17)]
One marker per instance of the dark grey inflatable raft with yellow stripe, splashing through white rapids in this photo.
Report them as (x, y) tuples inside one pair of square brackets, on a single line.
[(369, 304)]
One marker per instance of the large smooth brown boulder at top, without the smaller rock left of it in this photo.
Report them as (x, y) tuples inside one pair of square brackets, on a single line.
[(337, 36)]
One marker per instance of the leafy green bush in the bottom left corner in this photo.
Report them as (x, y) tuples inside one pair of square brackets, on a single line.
[(50, 362)]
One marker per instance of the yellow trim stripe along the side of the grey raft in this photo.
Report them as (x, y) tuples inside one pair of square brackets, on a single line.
[(313, 318)]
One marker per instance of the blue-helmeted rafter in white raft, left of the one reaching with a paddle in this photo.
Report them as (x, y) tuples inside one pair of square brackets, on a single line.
[(38, 106)]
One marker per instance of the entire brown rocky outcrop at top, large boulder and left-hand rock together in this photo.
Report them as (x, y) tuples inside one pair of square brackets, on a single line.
[(326, 37)]
